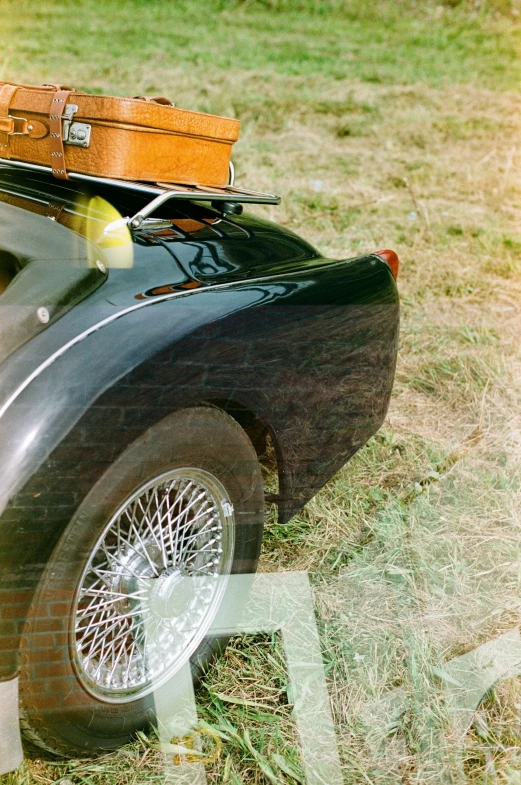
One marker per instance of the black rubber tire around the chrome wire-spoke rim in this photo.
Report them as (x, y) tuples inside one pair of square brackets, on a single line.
[(57, 714)]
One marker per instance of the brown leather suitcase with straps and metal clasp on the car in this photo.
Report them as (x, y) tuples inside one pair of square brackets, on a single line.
[(121, 138)]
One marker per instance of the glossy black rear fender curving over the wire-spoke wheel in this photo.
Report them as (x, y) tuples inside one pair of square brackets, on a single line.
[(311, 355)]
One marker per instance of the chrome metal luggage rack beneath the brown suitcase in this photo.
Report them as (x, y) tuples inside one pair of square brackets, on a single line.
[(228, 198)]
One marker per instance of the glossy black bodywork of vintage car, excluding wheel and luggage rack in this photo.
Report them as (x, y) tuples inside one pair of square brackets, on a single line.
[(106, 332)]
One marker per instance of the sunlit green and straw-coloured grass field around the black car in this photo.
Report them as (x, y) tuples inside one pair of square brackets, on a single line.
[(382, 125)]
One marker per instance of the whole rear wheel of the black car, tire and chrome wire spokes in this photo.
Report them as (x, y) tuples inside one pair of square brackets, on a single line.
[(135, 581)]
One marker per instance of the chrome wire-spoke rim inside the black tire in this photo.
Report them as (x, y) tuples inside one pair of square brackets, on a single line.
[(152, 584)]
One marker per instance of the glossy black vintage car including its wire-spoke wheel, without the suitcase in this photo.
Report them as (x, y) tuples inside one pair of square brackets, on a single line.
[(155, 345)]
